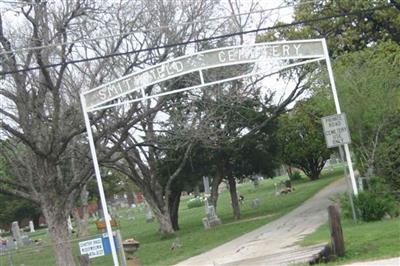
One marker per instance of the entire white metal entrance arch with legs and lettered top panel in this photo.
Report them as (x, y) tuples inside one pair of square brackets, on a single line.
[(104, 96)]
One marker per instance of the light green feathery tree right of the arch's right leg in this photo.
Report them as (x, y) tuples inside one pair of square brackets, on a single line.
[(368, 85)]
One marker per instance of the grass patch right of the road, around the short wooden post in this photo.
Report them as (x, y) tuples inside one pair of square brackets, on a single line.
[(363, 241)]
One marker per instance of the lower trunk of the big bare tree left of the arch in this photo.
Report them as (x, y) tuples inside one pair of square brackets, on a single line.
[(56, 217)]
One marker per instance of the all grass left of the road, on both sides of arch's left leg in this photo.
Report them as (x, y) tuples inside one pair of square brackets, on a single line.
[(155, 250)]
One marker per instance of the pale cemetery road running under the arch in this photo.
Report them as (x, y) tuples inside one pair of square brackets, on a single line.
[(277, 237)]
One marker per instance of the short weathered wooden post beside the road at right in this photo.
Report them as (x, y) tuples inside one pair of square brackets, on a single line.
[(336, 231)]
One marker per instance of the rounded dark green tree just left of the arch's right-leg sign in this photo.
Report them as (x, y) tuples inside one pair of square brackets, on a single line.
[(301, 138)]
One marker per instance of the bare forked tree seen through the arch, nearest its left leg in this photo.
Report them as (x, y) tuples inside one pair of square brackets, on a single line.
[(140, 146)]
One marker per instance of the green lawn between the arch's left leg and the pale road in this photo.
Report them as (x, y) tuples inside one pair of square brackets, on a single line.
[(196, 240)]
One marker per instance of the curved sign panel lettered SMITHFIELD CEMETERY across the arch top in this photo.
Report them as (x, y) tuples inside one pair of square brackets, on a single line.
[(203, 60)]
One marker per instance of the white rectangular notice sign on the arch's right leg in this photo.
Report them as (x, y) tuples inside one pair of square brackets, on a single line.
[(336, 130)]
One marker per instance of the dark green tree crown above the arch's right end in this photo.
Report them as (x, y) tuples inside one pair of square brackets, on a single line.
[(355, 31)]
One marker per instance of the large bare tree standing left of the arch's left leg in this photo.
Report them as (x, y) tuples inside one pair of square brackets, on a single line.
[(41, 118)]
